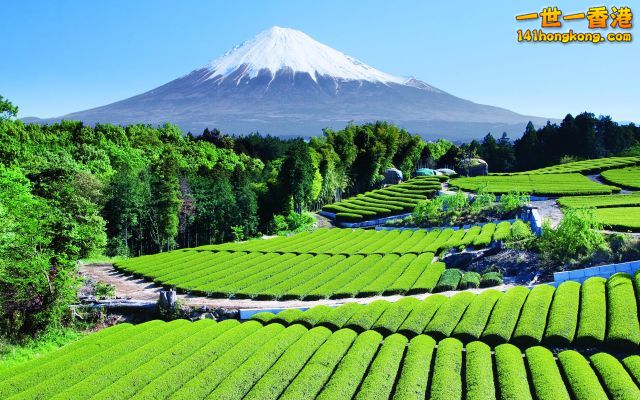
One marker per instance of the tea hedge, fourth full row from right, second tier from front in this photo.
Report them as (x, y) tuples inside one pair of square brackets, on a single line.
[(533, 319)]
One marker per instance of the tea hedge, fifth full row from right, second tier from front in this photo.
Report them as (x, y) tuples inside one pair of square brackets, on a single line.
[(505, 316)]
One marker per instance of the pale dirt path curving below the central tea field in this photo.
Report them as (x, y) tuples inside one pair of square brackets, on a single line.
[(128, 287)]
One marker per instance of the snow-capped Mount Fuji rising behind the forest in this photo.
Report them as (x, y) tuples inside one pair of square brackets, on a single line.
[(285, 83)]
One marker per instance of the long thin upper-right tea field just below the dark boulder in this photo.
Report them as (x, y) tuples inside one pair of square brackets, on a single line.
[(537, 184)]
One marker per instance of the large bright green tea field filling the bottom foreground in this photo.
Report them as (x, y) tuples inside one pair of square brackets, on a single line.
[(232, 360)]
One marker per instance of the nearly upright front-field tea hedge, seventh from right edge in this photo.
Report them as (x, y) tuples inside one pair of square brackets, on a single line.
[(447, 379)]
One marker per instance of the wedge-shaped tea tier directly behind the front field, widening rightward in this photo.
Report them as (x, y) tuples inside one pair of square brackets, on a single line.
[(596, 313)]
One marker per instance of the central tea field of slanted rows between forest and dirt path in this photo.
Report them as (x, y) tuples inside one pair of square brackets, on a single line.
[(325, 263)]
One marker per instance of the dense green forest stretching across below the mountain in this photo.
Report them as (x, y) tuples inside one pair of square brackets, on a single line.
[(69, 191)]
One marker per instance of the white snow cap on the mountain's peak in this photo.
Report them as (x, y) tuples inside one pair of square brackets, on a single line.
[(278, 48)]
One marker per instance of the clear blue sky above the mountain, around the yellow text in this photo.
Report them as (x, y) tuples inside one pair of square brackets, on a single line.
[(65, 56)]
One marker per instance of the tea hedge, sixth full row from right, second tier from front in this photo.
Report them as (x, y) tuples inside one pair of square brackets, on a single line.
[(476, 316)]
